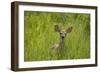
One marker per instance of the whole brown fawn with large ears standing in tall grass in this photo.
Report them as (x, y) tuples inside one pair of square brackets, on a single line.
[(62, 34)]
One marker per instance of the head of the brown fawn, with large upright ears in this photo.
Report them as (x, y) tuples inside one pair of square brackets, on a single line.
[(62, 32)]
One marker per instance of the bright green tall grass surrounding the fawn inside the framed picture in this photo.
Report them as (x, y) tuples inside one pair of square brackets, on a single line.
[(39, 36)]
